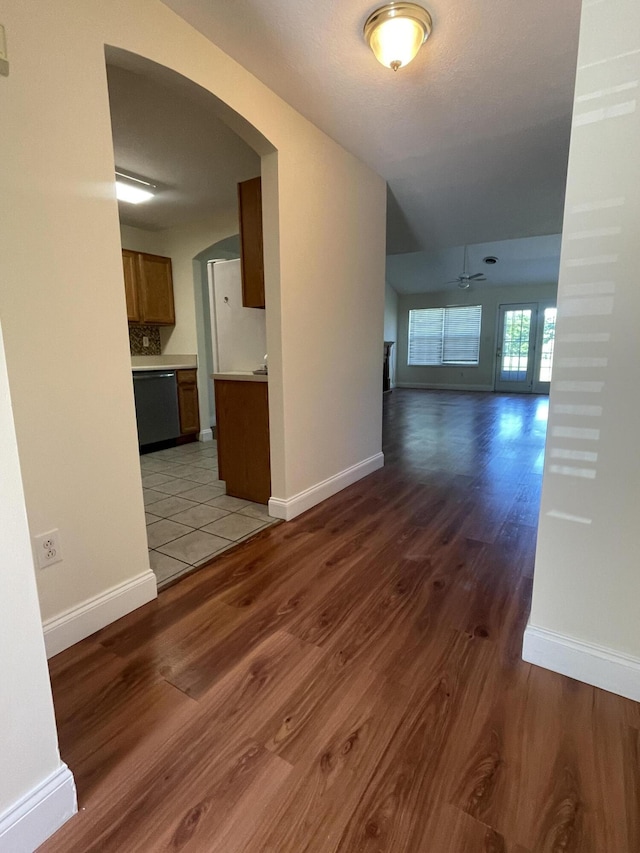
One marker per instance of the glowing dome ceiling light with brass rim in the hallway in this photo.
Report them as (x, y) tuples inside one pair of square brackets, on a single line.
[(396, 32)]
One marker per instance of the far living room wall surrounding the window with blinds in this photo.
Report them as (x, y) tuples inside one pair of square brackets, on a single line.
[(482, 376)]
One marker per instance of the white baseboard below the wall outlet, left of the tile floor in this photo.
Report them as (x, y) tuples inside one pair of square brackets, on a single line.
[(85, 619)]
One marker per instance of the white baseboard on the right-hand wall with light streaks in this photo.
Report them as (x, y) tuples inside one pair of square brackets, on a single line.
[(592, 664)]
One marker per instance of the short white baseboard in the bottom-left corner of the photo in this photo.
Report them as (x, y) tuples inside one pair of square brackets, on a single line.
[(40, 813)]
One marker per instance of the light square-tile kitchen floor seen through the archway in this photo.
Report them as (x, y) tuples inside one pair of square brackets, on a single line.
[(190, 519)]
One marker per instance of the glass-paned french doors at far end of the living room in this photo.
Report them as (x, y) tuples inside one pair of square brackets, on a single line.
[(524, 357)]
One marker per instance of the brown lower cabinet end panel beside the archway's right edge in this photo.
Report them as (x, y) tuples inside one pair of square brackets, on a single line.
[(242, 430)]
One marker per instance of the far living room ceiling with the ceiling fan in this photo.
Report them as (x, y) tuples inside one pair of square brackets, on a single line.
[(524, 261)]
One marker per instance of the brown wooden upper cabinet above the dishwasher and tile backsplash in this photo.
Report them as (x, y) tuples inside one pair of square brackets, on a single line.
[(149, 288)]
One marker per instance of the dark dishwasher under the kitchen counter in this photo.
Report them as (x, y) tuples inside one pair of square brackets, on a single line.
[(156, 394)]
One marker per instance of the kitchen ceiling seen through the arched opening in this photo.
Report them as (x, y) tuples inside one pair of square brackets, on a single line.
[(163, 131)]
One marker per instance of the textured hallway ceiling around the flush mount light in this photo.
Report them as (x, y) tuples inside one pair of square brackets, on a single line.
[(472, 137)]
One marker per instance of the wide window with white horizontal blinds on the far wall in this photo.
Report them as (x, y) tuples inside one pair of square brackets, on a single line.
[(445, 335)]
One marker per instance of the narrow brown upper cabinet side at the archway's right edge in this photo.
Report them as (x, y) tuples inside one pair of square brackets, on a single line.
[(250, 206)]
